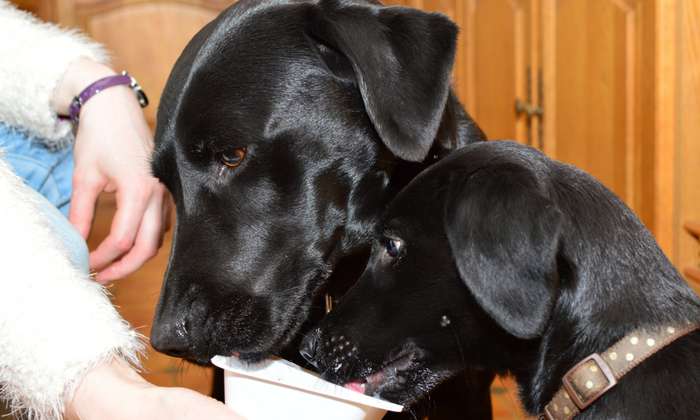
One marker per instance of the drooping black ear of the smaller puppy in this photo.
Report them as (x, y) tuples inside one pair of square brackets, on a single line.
[(504, 236)]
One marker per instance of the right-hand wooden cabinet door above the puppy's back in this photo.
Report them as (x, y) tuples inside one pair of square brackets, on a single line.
[(597, 58)]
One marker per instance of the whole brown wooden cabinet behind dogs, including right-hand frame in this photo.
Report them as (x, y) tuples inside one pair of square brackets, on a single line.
[(611, 86)]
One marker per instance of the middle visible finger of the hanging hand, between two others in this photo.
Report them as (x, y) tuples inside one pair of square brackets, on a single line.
[(132, 198)]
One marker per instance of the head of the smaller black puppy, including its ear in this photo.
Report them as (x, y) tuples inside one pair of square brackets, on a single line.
[(463, 271)]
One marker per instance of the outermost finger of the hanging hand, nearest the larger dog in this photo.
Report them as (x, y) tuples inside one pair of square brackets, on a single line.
[(146, 245)]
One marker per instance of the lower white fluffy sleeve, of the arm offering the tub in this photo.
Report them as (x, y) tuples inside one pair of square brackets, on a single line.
[(55, 323)]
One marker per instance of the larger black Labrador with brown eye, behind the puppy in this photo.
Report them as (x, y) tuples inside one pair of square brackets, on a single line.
[(284, 129)]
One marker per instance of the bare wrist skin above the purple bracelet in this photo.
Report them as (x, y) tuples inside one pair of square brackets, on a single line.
[(79, 74)]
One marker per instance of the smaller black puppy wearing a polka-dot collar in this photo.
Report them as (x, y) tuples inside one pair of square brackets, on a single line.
[(501, 258)]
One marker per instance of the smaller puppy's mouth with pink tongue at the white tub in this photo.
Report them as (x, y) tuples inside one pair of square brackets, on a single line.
[(389, 374)]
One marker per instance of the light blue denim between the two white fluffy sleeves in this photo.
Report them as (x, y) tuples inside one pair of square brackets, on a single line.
[(49, 173)]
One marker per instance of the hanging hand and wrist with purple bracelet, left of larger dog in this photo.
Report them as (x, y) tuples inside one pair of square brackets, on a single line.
[(112, 150)]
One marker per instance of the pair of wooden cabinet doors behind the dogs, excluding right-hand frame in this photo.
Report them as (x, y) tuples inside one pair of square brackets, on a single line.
[(570, 77)]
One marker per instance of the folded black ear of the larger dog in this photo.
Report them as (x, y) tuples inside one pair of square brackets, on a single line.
[(401, 59)]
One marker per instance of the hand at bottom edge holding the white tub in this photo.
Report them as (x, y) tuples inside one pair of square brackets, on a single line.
[(114, 391)]
